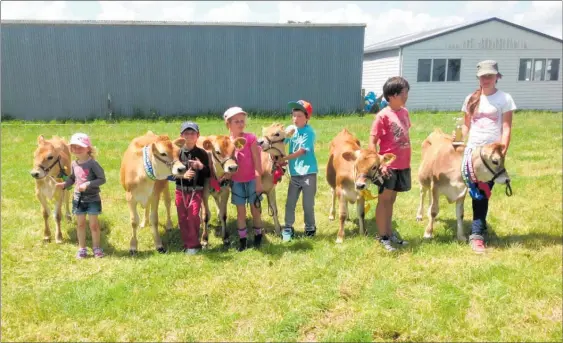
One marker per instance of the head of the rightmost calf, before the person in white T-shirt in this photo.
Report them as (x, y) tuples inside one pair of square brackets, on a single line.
[(490, 165)]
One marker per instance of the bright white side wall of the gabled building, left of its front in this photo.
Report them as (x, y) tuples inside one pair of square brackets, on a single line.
[(378, 67)]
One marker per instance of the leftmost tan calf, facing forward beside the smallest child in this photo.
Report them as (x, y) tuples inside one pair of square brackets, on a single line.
[(51, 160)]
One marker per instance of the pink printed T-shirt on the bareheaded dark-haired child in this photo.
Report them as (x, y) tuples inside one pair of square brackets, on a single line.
[(392, 129)]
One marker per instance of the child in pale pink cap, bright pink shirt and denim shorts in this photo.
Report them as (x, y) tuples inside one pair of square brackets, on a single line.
[(247, 181)]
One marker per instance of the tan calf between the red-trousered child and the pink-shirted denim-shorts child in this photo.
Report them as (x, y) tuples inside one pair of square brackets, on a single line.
[(221, 151)]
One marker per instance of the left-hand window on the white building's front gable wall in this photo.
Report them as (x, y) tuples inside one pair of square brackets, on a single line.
[(438, 70)]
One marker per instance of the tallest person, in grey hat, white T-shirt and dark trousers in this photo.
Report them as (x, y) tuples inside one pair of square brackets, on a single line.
[(488, 119)]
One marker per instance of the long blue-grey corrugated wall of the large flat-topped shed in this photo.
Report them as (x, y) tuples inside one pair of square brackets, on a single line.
[(68, 70)]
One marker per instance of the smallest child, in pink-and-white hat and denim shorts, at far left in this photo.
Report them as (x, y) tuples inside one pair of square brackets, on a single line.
[(87, 175)]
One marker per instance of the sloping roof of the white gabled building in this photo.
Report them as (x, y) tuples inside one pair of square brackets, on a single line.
[(417, 37)]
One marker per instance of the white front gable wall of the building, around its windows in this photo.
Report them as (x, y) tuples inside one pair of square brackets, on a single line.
[(492, 40)]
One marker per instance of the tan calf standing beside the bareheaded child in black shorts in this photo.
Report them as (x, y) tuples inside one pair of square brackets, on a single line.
[(351, 169)]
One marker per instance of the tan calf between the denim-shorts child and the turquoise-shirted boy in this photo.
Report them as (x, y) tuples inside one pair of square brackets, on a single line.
[(273, 148)]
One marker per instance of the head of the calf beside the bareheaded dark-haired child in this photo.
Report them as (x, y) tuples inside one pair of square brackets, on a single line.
[(367, 166)]
